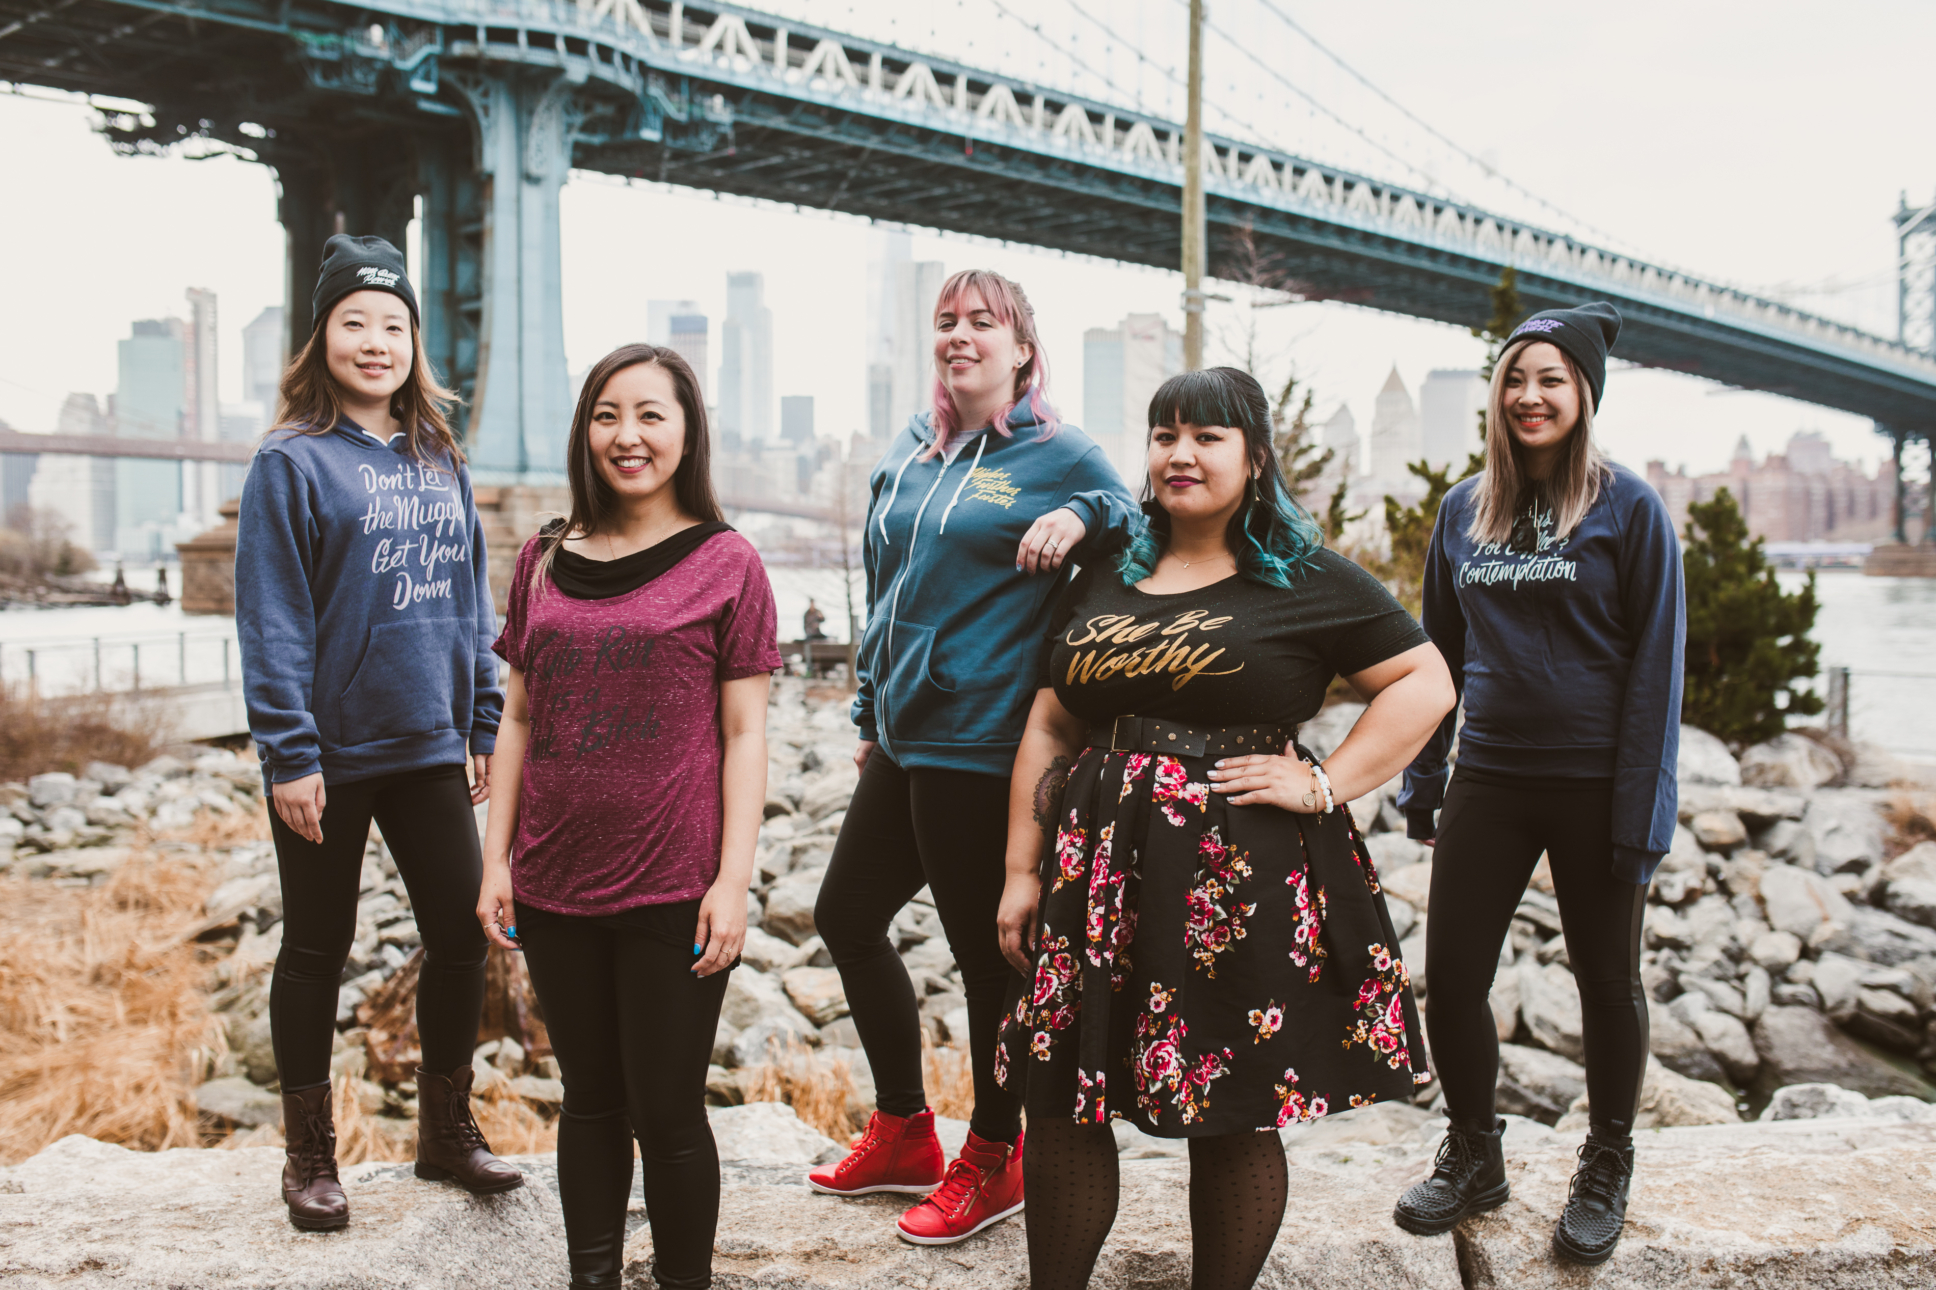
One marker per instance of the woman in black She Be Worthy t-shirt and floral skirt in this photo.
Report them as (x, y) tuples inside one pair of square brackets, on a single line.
[(1207, 938)]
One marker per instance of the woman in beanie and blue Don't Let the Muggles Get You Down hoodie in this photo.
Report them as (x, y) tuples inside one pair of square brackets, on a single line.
[(367, 627)]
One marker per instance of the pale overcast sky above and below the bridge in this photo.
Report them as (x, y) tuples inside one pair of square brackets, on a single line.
[(1757, 144)]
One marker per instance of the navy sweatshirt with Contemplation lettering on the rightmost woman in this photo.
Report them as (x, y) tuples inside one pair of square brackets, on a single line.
[(1569, 660)]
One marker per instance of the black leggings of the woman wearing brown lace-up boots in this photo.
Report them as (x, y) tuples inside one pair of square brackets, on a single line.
[(433, 834)]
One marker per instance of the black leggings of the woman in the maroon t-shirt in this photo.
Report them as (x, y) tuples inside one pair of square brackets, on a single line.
[(634, 1031)]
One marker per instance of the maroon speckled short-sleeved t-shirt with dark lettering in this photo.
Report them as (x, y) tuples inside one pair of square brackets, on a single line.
[(620, 803)]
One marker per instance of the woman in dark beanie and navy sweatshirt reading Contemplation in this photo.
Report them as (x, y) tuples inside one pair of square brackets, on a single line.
[(1554, 590)]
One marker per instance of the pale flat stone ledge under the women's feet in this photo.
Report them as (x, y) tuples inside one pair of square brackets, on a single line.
[(1792, 1206)]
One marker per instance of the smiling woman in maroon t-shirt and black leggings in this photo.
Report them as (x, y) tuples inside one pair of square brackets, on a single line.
[(640, 638)]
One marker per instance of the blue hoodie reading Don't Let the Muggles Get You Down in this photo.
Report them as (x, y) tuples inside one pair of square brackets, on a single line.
[(363, 609)]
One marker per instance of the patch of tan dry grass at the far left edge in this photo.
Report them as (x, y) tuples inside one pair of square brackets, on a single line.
[(104, 1012)]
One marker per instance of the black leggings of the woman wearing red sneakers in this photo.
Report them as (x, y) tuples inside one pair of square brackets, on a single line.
[(946, 830)]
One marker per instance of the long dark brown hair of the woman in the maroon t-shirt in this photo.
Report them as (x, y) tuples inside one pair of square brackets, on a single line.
[(593, 501)]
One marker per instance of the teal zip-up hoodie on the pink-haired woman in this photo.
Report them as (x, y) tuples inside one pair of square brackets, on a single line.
[(955, 634)]
